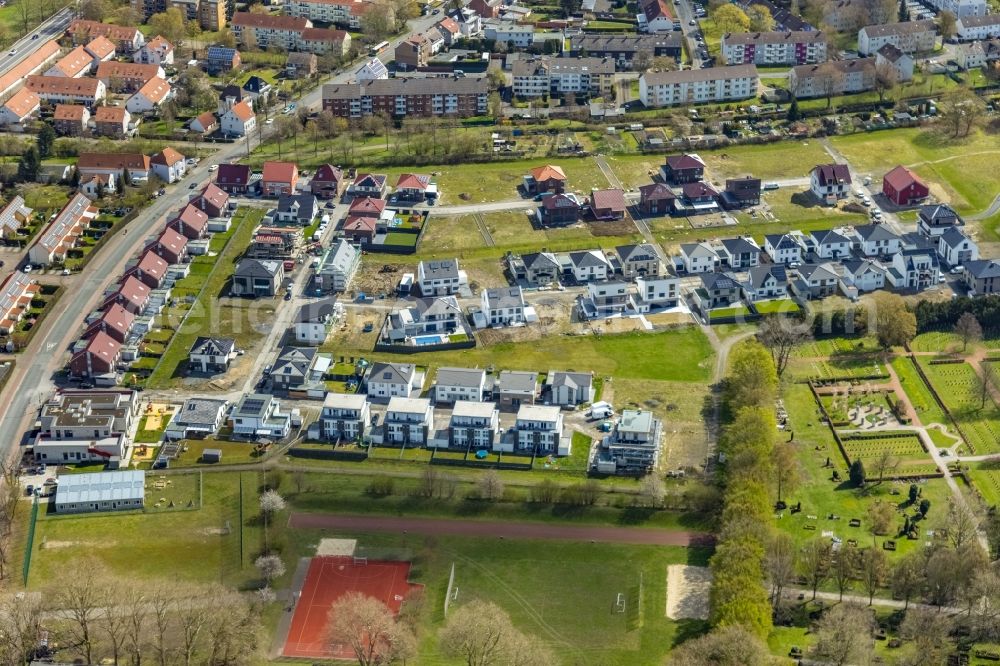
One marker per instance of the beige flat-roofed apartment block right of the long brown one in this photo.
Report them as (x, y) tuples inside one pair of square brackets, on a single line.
[(539, 77)]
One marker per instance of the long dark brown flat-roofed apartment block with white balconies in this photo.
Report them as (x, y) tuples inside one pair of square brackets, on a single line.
[(415, 97)]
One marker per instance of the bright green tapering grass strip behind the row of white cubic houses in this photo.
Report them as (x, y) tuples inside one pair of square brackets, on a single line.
[(682, 354)]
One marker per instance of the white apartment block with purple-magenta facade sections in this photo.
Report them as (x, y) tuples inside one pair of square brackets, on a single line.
[(774, 48)]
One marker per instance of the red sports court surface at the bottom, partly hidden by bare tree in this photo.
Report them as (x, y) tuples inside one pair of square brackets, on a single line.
[(326, 581)]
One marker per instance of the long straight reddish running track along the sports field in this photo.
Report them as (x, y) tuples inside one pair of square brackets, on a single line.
[(509, 530)]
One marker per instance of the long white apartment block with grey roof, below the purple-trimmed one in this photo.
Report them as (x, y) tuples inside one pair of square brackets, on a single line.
[(698, 86)]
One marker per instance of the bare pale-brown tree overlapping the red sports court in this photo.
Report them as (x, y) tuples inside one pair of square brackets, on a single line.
[(368, 627)]
